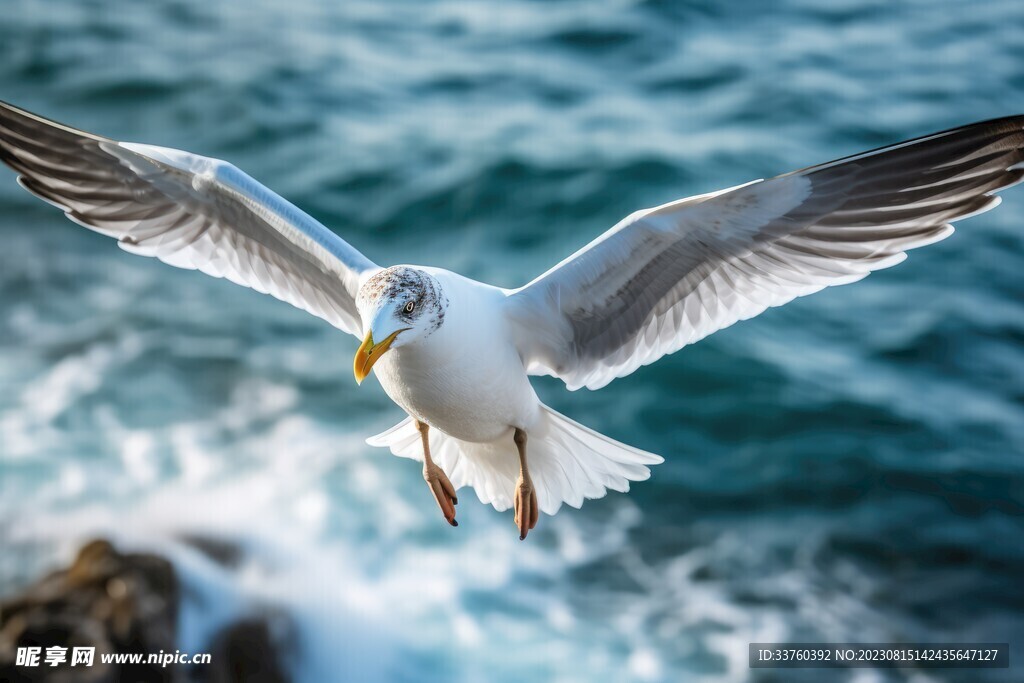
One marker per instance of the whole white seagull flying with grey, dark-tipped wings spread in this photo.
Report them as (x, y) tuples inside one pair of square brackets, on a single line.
[(457, 355)]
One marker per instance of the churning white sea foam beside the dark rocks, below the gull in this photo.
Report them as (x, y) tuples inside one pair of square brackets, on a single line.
[(349, 547)]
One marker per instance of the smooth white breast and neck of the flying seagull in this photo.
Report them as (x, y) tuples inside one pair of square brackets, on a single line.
[(466, 379)]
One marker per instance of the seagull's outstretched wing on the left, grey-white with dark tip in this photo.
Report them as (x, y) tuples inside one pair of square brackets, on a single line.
[(189, 211)]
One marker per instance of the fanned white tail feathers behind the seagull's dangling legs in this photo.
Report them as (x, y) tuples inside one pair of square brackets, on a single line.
[(568, 462)]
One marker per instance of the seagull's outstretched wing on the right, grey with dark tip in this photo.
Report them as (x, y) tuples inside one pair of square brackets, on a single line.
[(668, 277)]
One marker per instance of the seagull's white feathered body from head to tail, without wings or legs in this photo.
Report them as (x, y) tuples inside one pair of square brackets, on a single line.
[(465, 377)]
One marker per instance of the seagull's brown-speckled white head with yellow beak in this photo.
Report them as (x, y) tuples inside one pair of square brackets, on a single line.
[(399, 307)]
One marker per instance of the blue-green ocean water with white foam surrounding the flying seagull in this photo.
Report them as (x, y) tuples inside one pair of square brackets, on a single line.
[(849, 467)]
